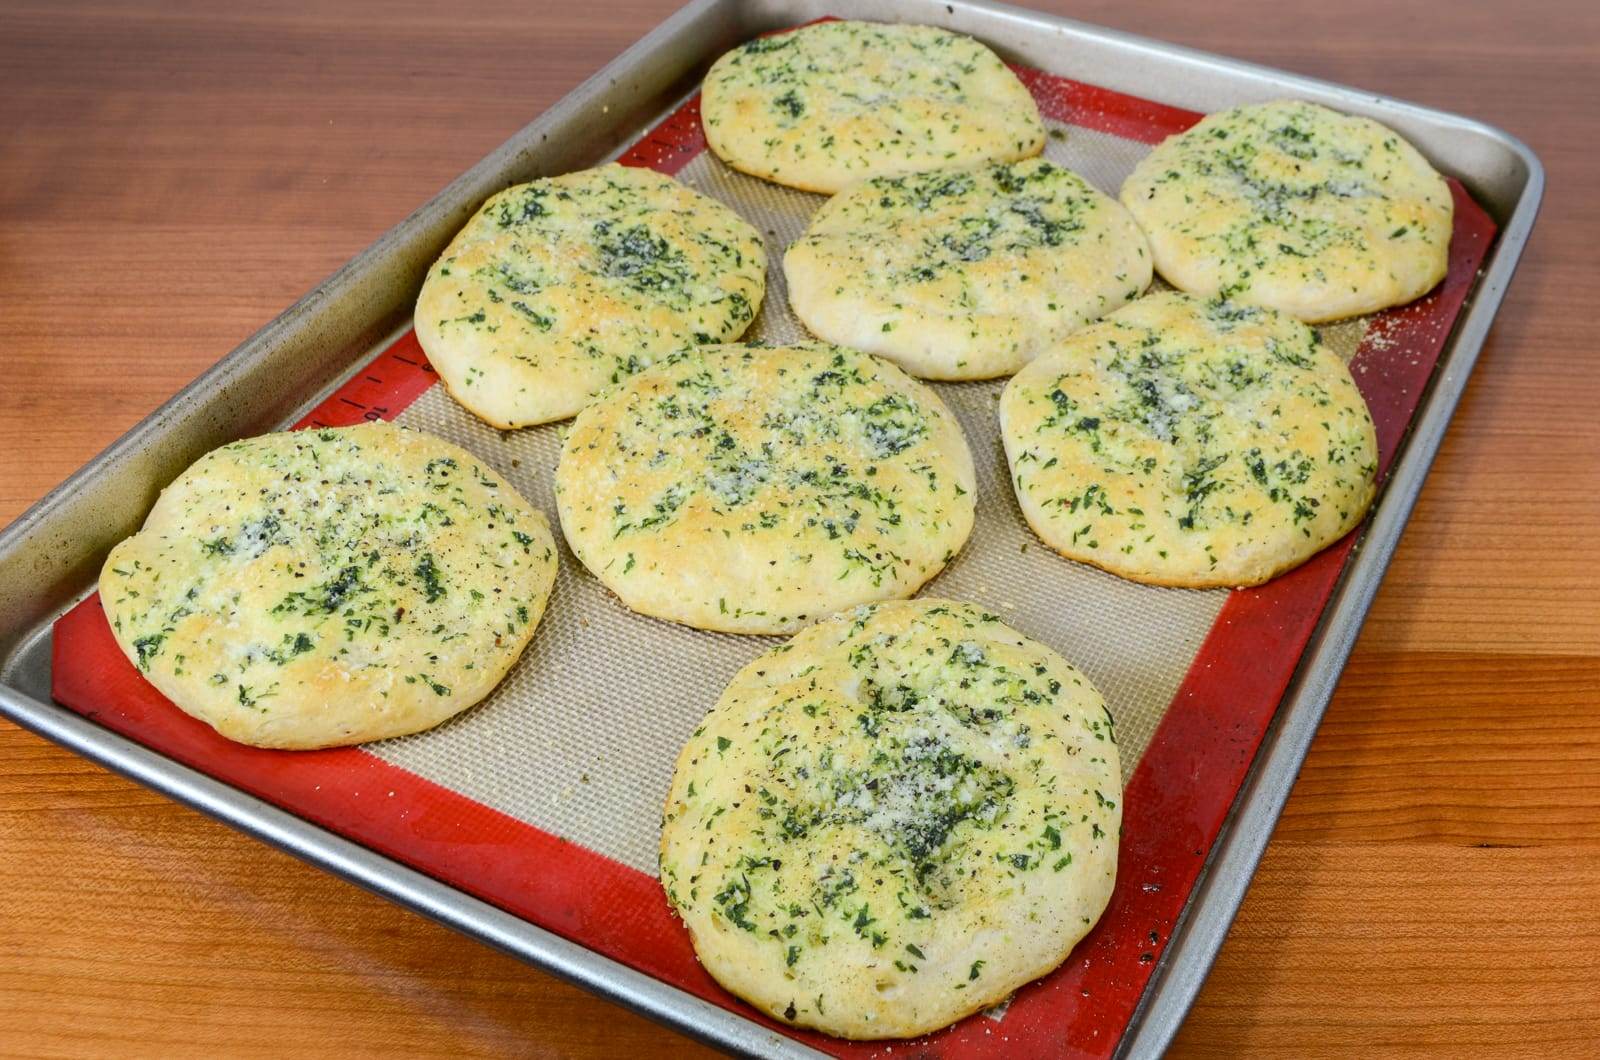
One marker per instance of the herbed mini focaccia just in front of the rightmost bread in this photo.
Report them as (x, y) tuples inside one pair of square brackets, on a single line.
[(1190, 444)]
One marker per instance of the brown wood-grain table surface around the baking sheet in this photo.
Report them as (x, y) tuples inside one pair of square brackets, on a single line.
[(172, 177)]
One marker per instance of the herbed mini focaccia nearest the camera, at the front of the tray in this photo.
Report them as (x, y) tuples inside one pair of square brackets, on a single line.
[(894, 821)]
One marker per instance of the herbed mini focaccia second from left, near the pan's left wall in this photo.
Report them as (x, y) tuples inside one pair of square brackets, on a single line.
[(559, 287)]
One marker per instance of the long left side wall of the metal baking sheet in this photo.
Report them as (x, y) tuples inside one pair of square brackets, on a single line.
[(52, 550)]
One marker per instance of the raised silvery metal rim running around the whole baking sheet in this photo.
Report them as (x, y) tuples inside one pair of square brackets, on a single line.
[(380, 281)]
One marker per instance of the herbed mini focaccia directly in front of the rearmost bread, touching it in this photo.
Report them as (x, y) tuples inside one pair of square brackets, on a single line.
[(966, 275)]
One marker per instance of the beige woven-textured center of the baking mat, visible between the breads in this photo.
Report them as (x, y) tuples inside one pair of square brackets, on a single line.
[(582, 737)]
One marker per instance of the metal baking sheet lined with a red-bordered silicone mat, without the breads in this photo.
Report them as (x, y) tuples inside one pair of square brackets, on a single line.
[(559, 777)]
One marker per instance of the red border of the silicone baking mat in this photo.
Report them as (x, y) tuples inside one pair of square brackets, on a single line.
[(1175, 801)]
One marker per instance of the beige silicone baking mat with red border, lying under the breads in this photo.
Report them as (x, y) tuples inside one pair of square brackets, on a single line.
[(546, 798)]
